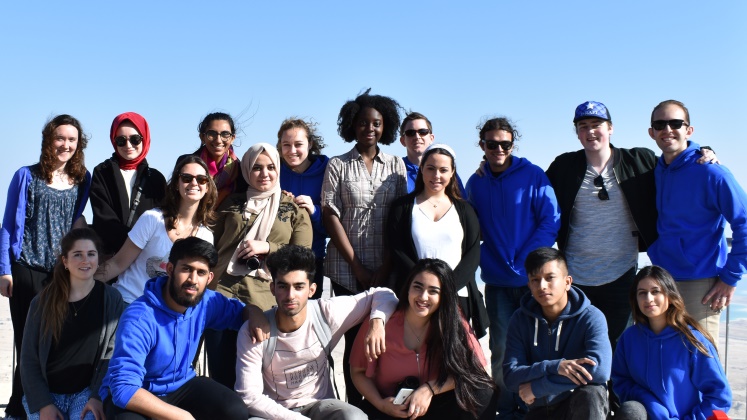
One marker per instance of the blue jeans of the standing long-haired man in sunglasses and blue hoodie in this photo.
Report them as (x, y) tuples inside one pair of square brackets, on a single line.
[(501, 303)]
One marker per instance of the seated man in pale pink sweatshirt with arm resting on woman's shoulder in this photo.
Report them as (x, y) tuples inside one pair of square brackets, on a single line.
[(292, 381)]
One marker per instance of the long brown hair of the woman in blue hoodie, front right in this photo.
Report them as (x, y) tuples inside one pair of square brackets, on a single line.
[(676, 315)]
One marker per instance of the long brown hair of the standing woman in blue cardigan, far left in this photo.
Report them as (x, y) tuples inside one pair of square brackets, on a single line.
[(75, 167)]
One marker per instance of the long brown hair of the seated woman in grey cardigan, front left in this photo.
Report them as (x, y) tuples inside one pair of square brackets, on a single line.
[(53, 298)]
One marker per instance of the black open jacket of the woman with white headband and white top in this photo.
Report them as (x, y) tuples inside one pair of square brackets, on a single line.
[(405, 256)]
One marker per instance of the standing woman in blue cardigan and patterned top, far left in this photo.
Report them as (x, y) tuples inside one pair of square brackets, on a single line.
[(45, 201)]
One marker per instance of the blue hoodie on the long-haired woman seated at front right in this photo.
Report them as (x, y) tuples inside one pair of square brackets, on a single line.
[(668, 375)]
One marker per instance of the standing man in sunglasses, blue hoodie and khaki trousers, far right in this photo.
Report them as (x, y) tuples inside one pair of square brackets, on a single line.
[(694, 203)]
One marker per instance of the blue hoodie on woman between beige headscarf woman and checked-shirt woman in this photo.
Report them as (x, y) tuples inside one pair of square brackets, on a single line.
[(309, 183)]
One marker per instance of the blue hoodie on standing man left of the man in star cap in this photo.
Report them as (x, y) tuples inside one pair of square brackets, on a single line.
[(518, 213)]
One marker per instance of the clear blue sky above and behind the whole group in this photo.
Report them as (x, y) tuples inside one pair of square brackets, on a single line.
[(456, 62)]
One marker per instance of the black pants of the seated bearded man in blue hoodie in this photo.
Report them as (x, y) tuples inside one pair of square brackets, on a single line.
[(202, 397)]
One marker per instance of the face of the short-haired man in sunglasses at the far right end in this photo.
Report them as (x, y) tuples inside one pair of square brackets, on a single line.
[(671, 141)]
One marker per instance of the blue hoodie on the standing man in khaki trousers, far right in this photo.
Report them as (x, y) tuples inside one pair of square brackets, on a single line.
[(694, 203)]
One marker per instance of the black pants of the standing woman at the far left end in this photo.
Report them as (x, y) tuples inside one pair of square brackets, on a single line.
[(27, 283)]
